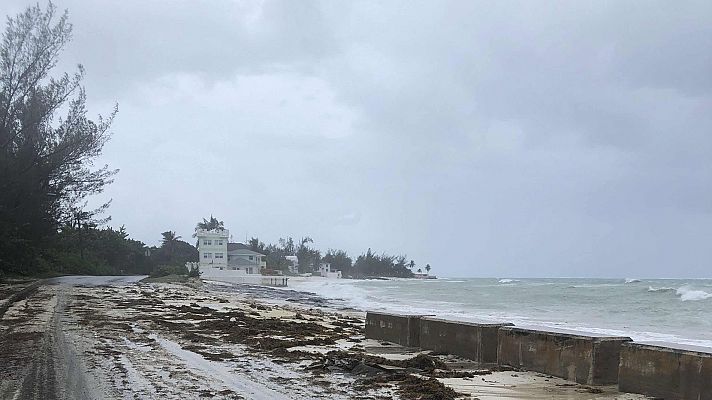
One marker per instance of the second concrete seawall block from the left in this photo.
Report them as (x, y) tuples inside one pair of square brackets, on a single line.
[(477, 342)]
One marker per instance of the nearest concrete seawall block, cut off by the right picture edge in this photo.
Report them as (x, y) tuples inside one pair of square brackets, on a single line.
[(665, 372)]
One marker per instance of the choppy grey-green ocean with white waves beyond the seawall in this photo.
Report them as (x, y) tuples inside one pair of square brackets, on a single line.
[(660, 310)]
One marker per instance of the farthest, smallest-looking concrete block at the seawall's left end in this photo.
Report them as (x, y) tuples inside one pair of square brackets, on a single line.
[(395, 328)]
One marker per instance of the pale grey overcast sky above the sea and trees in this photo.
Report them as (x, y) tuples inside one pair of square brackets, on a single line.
[(485, 138)]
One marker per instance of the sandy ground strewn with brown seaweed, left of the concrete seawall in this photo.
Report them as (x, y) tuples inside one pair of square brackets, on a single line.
[(126, 339)]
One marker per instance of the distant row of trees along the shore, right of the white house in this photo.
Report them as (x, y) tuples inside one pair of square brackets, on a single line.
[(368, 264)]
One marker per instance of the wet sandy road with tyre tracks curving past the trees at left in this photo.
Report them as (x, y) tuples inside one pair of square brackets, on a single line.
[(37, 360)]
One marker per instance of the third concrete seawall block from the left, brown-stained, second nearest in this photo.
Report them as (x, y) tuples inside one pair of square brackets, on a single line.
[(591, 360)]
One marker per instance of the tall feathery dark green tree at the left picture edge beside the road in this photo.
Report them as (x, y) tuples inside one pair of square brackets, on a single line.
[(46, 161)]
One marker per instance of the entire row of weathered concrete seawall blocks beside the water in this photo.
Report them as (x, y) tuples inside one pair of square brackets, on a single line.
[(590, 359)]
